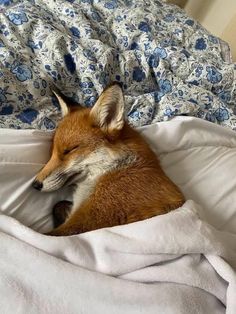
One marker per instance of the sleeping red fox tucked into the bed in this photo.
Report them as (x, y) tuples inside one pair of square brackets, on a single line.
[(117, 179)]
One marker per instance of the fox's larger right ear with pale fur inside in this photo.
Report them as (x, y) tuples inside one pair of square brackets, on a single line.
[(108, 111)]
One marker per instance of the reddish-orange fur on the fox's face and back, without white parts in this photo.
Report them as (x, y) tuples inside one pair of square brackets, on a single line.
[(137, 191)]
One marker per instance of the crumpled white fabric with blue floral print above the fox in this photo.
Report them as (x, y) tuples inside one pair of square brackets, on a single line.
[(168, 64)]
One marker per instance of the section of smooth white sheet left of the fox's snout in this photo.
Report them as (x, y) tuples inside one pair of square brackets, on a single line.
[(22, 154)]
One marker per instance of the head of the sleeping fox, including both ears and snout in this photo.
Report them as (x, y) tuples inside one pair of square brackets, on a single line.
[(83, 141)]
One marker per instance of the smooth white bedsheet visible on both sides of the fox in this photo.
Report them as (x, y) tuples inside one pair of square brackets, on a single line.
[(199, 156)]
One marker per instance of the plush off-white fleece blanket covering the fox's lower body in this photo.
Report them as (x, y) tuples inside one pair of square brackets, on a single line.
[(173, 263)]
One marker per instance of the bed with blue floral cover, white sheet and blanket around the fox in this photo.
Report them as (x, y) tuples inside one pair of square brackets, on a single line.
[(179, 89)]
